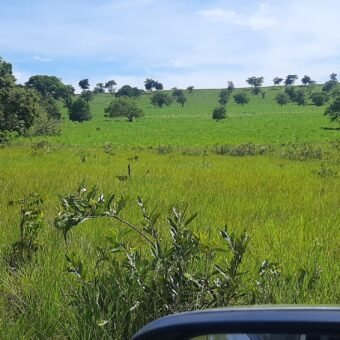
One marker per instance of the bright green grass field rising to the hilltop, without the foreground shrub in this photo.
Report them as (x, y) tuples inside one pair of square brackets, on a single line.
[(273, 172)]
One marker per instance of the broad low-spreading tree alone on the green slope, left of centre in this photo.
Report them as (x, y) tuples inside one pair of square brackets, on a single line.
[(123, 107)]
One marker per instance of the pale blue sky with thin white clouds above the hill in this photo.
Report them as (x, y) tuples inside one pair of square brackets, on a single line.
[(179, 43)]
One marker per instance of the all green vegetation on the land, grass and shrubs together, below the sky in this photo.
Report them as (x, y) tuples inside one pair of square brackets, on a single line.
[(78, 263)]
